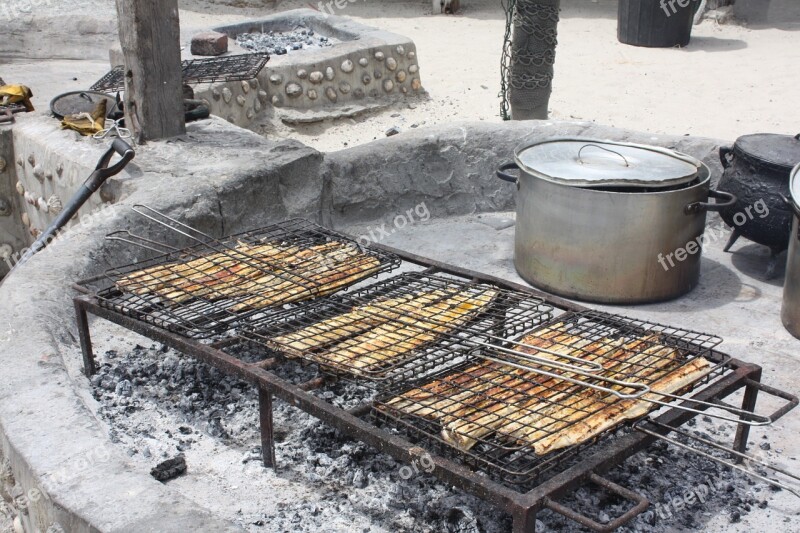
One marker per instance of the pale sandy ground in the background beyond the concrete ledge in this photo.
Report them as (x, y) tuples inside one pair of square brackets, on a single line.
[(731, 79)]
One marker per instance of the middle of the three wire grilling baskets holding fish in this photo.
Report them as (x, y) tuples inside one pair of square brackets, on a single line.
[(416, 319)]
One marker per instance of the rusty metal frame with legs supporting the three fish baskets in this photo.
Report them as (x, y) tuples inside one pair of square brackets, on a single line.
[(522, 506)]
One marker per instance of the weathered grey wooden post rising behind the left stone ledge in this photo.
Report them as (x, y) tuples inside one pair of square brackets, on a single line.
[(149, 31)]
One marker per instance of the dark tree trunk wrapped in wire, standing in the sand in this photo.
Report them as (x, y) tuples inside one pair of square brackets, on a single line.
[(533, 54)]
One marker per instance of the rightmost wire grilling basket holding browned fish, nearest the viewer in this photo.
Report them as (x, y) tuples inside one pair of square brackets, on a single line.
[(514, 423)]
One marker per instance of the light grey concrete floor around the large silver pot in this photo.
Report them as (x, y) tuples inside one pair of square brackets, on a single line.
[(732, 301)]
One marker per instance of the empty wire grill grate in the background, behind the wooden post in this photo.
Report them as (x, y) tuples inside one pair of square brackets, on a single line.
[(240, 67)]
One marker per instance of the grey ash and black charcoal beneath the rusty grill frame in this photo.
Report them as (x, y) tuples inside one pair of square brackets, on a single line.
[(159, 403)]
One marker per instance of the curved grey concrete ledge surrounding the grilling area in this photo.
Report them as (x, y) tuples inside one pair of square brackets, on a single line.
[(223, 180)]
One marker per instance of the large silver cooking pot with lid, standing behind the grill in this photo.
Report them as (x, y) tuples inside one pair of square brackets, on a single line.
[(630, 234)]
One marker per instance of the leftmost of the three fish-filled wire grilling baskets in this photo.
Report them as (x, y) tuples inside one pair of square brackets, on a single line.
[(212, 287)]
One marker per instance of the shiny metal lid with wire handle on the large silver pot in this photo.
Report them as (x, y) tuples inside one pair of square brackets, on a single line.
[(590, 163)]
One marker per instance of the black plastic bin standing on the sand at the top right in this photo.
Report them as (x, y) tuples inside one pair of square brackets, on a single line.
[(655, 23)]
